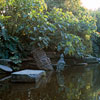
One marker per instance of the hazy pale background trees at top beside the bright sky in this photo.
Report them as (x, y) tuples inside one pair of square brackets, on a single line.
[(69, 5)]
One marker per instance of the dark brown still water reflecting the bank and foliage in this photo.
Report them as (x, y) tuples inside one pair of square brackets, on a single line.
[(75, 83)]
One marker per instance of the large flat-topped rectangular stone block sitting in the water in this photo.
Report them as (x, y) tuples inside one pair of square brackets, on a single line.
[(27, 76)]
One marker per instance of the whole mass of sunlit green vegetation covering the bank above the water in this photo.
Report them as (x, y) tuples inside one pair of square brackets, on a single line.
[(61, 25)]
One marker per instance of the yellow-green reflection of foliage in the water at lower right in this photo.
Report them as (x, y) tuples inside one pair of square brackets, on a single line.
[(77, 85)]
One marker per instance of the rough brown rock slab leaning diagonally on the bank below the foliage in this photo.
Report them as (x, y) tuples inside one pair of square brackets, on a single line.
[(42, 61)]
